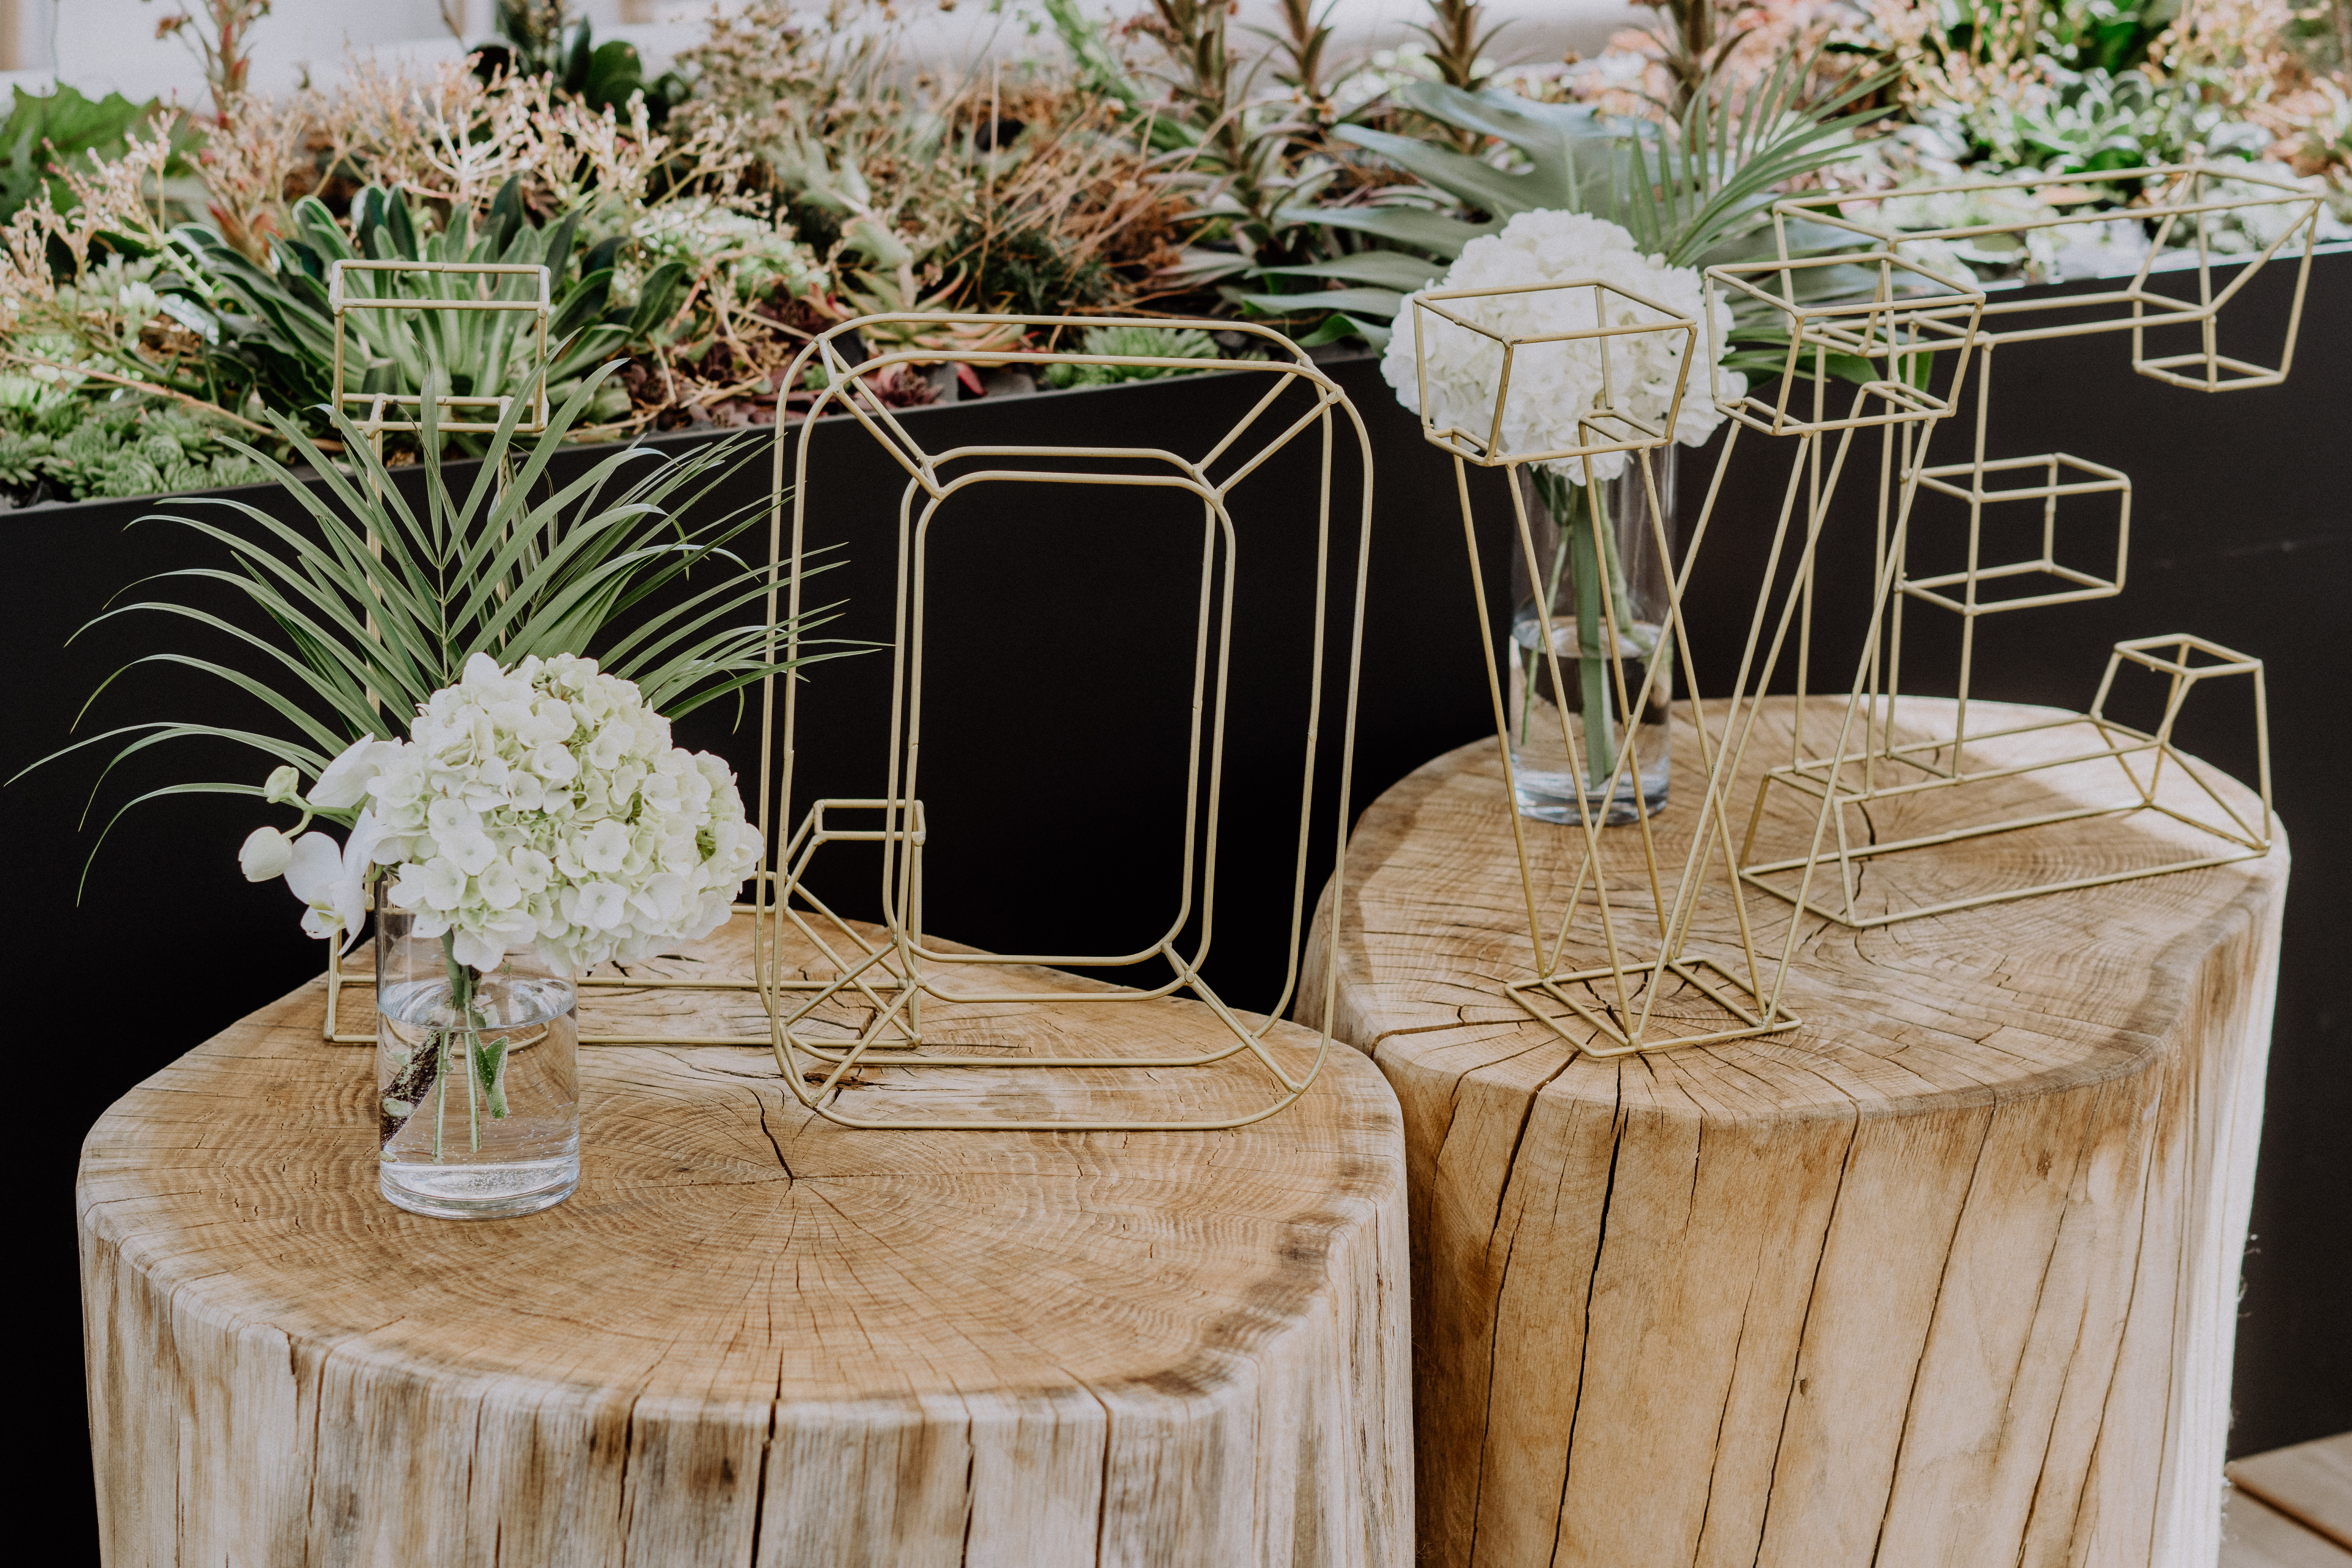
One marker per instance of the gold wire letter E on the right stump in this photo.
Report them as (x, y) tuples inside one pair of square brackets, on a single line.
[(1871, 763)]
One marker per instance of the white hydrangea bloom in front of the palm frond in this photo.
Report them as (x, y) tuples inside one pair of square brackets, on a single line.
[(535, 810)]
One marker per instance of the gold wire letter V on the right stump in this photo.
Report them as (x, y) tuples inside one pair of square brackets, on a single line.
[(1612, 1007)]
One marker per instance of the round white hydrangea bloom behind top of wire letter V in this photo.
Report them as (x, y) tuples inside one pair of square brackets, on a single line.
[(1553, 384)]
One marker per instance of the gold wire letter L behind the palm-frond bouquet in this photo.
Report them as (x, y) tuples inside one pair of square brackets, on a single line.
[(479, 290)]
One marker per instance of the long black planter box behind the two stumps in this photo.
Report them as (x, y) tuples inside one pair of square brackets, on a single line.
[(1062, 638)]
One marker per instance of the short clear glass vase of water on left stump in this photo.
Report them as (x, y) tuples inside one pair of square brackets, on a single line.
[(476, 1078)]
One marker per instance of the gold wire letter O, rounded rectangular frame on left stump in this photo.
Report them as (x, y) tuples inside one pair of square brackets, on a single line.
[(890, 977)]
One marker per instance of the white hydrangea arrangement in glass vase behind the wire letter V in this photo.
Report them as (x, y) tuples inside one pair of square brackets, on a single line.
[(1553, 389)]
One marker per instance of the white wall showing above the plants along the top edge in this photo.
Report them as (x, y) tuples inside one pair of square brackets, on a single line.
[(109, 46)]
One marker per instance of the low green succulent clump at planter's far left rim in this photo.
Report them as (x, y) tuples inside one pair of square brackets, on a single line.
[(131, 448)]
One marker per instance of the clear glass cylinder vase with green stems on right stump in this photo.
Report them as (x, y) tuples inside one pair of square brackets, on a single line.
[(1593, 579)]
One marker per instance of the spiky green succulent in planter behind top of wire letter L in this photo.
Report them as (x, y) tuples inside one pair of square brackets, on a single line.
[(274, 328)]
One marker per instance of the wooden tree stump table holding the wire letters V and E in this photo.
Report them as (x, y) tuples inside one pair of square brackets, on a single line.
[(1944, 1278)]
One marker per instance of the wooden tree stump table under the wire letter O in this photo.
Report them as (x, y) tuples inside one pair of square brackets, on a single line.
[(751, 1336)]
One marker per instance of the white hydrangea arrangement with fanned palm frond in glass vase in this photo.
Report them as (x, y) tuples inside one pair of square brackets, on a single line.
[(540, 634)]
